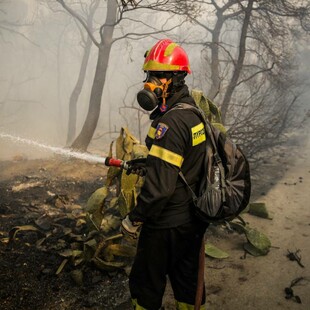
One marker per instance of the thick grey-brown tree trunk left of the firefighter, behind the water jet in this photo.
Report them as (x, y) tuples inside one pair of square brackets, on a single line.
[(82, 141)]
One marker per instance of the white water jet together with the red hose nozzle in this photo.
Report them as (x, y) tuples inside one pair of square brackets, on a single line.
[(108, 161)]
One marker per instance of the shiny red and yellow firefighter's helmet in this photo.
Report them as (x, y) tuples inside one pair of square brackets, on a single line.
[(166, 55)]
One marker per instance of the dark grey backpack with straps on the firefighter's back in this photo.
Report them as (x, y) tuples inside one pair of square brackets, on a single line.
[(225, 188)]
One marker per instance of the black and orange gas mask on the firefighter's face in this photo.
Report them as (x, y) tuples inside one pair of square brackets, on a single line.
[(153, 90)]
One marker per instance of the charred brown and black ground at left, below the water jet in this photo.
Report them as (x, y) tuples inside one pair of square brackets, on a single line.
[(47, 193)]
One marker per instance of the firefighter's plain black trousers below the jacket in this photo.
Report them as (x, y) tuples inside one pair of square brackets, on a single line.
[(161, 252)]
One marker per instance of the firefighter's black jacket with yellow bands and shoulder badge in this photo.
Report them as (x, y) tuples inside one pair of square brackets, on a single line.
[(176, 140)]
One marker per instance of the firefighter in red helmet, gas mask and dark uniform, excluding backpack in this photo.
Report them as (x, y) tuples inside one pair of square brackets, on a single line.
[(170, 237)]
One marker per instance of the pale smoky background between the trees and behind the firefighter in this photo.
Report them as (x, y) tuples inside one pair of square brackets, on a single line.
[(42, 47)]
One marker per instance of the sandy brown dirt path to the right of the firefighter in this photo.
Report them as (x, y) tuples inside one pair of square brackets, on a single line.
[(259, 282)]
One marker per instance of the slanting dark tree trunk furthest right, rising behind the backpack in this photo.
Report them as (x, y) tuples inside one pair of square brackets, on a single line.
[(238, 67)]
